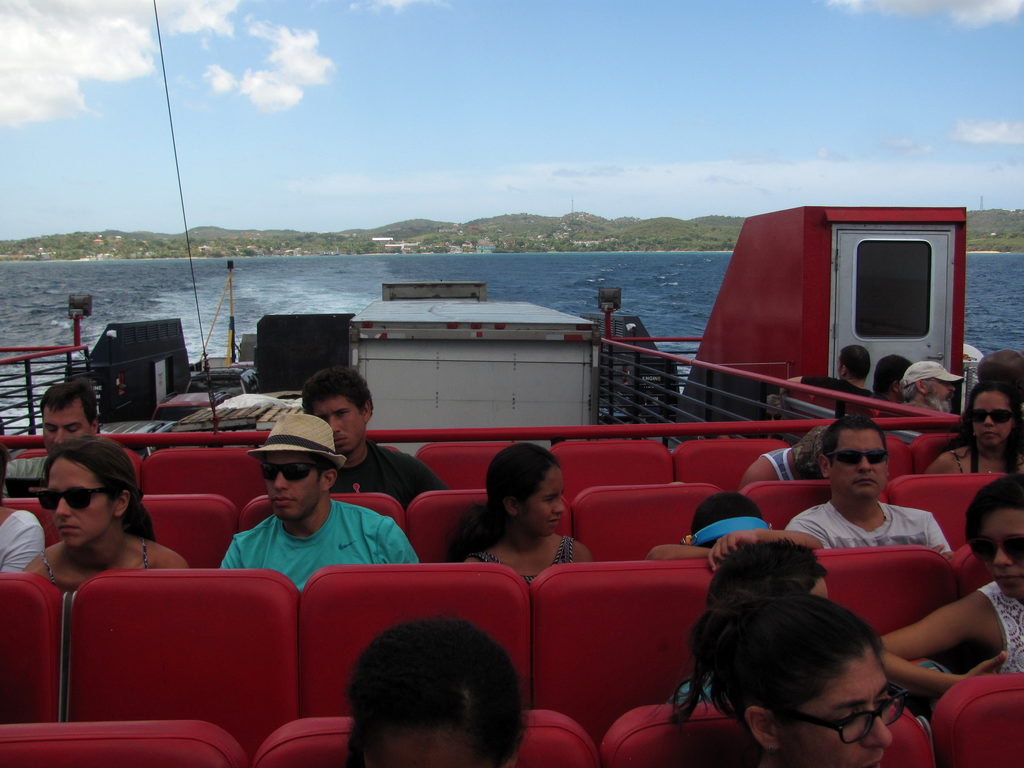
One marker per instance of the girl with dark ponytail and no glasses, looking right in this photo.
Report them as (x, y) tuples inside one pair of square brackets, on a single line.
[(518, 525)]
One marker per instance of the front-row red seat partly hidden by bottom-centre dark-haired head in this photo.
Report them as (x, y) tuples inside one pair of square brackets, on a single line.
[(550, 741)]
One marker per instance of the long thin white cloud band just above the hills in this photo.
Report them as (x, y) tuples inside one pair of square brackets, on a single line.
[(686, 190)]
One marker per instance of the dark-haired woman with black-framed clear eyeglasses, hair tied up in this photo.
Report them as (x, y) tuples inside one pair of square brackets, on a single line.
[(803, 674)]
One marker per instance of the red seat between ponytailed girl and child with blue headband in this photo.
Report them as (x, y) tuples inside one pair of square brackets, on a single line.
[(624, 523)]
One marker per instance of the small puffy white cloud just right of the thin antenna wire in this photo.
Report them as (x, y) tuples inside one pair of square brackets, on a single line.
[(294, 61)]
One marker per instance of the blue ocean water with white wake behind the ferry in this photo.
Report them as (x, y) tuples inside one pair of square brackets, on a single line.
[(672, 292)]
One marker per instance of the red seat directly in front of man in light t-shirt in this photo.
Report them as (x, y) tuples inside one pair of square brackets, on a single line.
[(915, 581)]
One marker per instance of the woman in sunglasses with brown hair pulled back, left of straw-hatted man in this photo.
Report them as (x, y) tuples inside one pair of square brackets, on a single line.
[(98, 510)]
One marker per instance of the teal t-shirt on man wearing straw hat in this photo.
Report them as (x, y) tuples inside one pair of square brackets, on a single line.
[(351, 536)]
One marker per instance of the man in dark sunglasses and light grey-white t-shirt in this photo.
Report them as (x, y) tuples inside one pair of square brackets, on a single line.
[(857, 463)]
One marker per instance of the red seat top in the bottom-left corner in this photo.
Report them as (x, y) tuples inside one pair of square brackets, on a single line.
[(155, 744)]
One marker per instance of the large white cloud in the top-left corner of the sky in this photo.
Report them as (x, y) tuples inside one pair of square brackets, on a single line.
[(50, 48)]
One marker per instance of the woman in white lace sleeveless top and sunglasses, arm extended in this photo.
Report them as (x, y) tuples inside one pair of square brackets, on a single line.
[(992, 618)]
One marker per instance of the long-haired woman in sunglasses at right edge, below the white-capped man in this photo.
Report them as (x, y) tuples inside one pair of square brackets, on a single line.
[(991, 435)]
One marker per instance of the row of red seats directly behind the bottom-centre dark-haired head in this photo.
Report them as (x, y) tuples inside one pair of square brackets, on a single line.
[(244, 651)]
